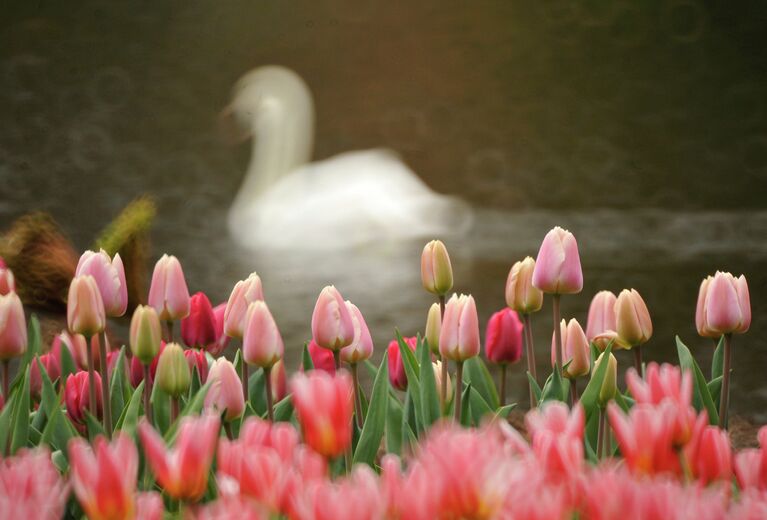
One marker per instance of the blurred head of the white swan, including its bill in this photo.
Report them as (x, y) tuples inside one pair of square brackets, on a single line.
[(264, 96)]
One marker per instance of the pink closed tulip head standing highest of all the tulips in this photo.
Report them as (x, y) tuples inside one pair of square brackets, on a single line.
[(558, 266)]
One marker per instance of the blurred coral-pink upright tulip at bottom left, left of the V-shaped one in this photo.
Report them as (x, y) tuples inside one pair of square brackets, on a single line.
[(104, 478)]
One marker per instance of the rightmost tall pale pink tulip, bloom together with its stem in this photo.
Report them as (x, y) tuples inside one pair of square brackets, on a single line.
[(724, 308)]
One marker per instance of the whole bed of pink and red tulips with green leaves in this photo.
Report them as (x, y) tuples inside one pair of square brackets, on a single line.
[(166, 426)]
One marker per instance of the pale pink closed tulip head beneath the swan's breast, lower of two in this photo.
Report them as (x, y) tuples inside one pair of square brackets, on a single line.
[(261, 342)]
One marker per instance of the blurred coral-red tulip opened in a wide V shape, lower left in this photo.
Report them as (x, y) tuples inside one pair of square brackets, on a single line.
[(183, 470)]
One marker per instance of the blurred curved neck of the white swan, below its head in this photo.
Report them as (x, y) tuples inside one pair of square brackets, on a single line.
[(282, 141)]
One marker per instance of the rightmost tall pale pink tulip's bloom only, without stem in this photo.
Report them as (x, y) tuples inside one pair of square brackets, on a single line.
[(724, 306)]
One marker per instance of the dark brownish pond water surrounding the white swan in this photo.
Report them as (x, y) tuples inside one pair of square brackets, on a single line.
[(639, 126)]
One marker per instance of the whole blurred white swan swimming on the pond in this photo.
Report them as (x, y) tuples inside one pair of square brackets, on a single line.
[(346, 200)]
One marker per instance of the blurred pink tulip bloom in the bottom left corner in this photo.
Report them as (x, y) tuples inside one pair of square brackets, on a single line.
[(31, 486)]
